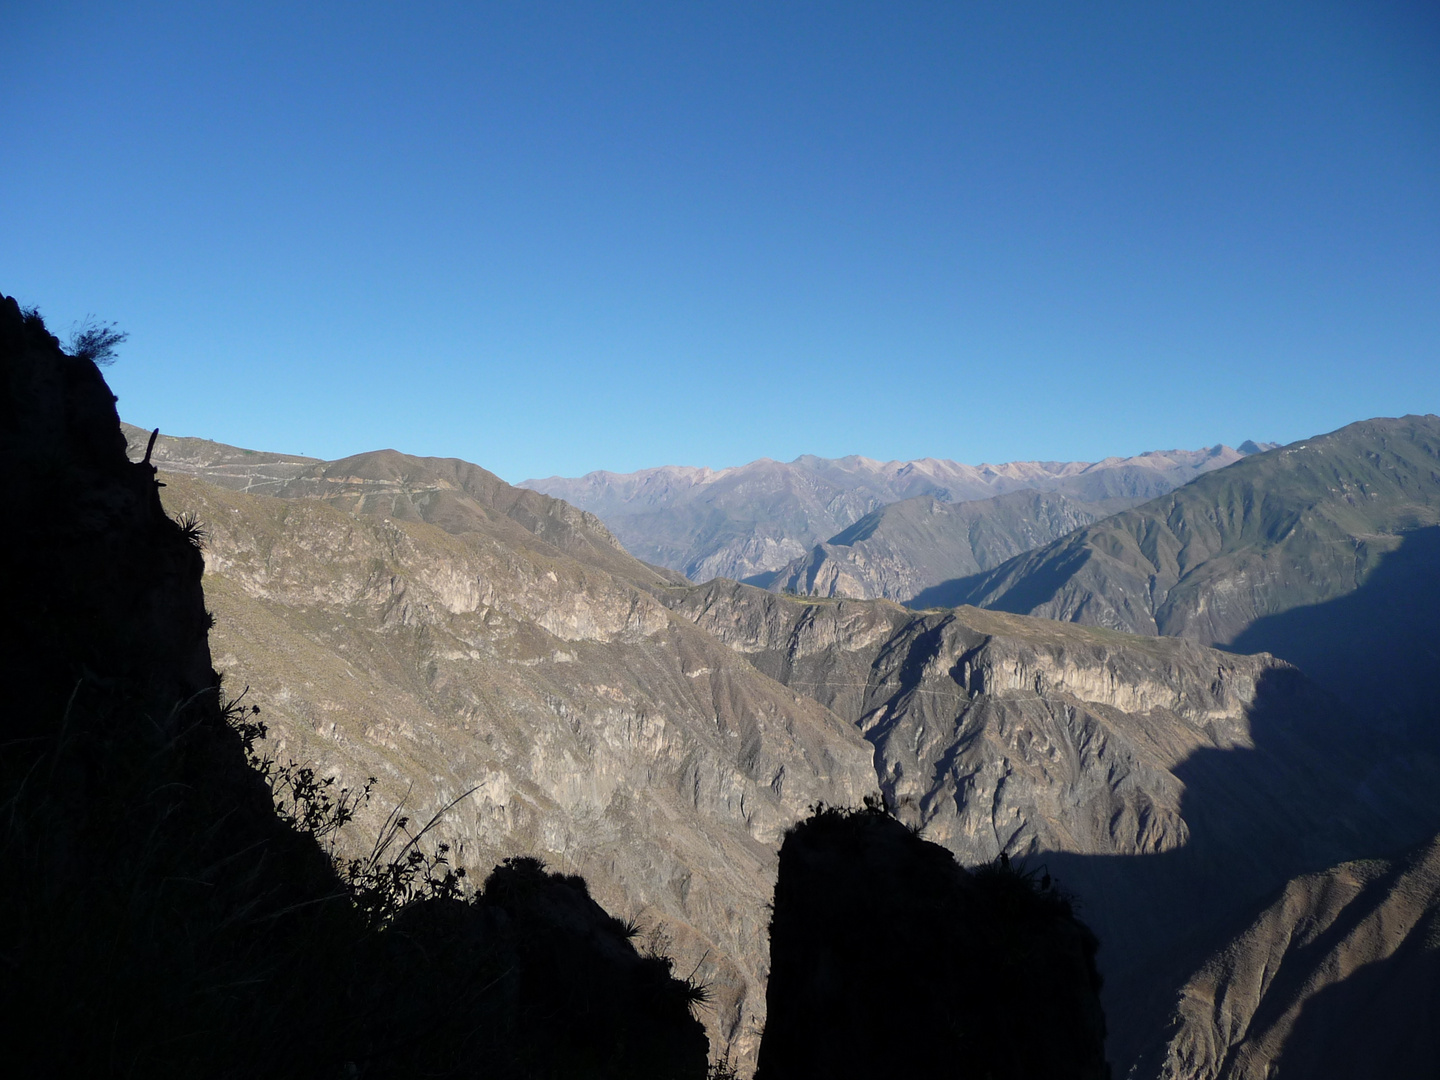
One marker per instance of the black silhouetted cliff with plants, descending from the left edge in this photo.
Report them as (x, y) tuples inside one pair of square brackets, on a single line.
[(158, 917)]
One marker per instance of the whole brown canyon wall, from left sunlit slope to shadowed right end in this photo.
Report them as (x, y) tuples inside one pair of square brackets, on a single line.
[(420, 621)]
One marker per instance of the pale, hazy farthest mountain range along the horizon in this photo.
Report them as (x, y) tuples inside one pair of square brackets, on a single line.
[(755, 519)]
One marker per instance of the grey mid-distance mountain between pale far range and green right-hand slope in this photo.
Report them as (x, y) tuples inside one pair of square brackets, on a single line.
[(909, 546)]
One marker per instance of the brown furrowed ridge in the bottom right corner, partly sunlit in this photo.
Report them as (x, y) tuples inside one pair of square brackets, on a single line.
[(1337, 976)]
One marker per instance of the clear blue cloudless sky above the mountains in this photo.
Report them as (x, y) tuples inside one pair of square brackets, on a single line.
[(552, 238)]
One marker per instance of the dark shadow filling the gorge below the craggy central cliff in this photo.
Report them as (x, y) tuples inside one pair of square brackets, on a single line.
[(1314, 790)]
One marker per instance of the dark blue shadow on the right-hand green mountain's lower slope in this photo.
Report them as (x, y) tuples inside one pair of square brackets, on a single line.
[(1377, 647)]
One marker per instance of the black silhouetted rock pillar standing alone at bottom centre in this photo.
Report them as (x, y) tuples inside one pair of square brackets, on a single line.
[(888, 958)]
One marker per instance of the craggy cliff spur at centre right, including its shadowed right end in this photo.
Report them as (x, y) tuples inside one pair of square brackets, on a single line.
[(1169, 784)]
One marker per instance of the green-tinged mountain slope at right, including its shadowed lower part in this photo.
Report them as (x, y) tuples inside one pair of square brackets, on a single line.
[(1313, 551)]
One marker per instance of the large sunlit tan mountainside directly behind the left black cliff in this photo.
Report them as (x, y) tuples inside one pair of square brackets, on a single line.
[(572, 715)]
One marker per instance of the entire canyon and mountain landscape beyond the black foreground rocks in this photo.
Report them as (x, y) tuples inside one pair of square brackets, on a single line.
[(423, 621)]
